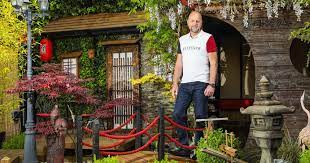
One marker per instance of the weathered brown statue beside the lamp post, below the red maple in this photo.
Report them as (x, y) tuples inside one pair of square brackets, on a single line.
[(56, 142)]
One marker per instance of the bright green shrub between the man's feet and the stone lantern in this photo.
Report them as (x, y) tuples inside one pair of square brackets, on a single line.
[(214, 139)]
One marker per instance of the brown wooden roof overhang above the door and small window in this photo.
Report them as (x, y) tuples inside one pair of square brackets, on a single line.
[(109, 22)]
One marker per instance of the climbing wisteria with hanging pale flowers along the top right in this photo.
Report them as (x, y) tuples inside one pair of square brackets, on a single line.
[(165, 19)]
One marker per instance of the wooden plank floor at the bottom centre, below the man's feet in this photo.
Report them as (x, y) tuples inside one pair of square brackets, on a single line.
[(149, 156)]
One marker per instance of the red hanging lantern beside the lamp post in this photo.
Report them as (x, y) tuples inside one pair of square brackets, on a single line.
[(46, 50)]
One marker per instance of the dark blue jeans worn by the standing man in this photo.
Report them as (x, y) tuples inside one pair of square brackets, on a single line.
[(187, 93)]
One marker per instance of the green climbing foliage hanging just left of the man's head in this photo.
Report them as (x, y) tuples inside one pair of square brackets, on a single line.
[(159, 38)]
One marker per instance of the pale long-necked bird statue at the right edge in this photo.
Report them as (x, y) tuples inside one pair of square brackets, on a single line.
[(304, 135)]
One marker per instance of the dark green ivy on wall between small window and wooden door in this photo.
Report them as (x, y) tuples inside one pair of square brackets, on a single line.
[(94, 69)]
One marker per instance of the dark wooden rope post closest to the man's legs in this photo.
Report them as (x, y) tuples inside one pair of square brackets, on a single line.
[(161, 141)]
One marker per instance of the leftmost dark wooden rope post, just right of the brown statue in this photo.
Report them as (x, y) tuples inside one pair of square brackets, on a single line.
[(79, 138)]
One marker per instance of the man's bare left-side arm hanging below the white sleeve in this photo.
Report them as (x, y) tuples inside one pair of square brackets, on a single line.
[(177, 75)]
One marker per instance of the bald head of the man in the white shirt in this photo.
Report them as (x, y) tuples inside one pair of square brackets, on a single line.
[(194, 22)]
